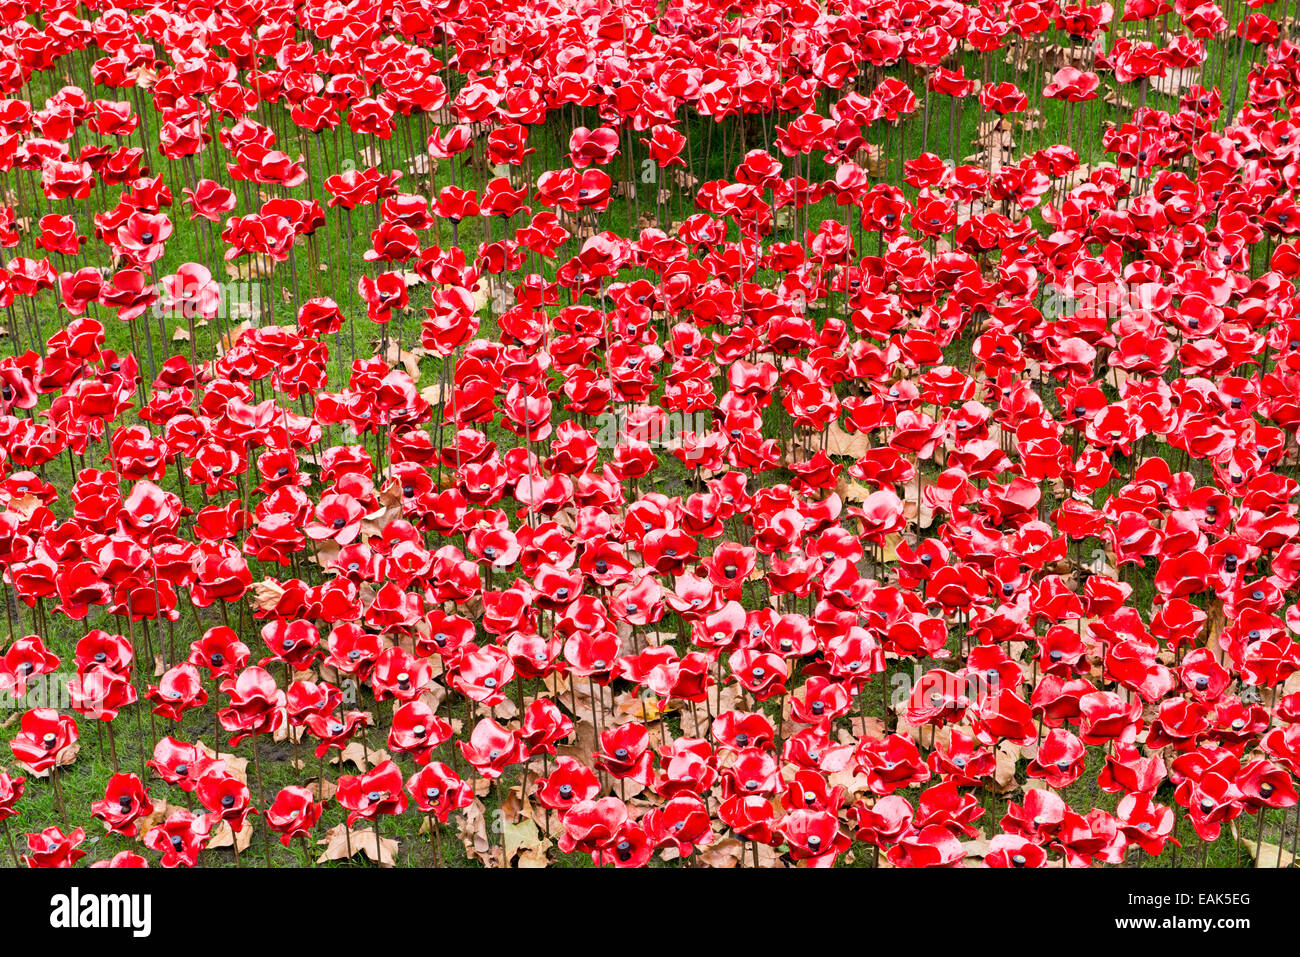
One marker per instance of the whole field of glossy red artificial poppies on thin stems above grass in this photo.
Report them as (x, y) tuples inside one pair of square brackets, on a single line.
[(987, 486)]
